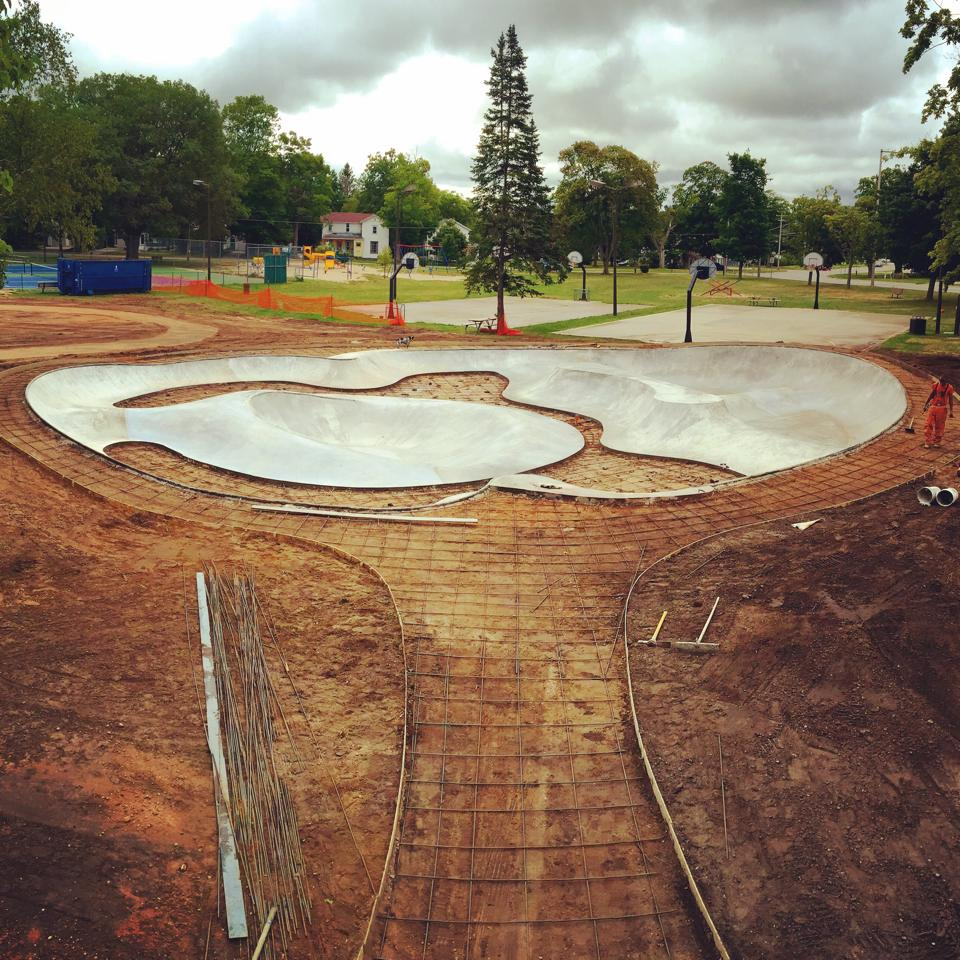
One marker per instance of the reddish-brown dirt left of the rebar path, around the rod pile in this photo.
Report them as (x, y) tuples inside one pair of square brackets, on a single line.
[(107, 827)]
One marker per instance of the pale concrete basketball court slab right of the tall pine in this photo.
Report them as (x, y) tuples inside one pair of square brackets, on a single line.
[(741, 323)]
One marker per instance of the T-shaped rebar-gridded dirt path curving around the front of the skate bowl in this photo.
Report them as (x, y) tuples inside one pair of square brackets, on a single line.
[(528, 828)]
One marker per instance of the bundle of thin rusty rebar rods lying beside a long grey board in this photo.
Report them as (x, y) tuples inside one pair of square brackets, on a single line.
[(261, 810)]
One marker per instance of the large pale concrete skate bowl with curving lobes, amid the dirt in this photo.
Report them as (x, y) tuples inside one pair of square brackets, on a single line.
[(754, 410)]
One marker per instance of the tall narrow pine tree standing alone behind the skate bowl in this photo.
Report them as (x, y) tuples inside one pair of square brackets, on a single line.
[(512, 227)]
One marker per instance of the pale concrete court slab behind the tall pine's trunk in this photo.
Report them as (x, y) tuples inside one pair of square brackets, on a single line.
[(520, 311)]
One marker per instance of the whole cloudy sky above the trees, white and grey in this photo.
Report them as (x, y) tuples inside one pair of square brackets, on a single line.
[(815, 86)]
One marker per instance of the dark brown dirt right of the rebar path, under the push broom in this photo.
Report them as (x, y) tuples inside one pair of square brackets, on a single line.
[(835, 698)]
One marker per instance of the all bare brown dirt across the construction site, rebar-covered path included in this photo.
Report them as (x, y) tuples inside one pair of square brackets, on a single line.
[(834, 695)]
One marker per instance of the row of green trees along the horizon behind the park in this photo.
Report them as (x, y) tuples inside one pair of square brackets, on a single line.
[(121, 154)]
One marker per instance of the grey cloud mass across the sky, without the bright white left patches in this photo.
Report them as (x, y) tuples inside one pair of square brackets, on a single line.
[(815, 87)]
